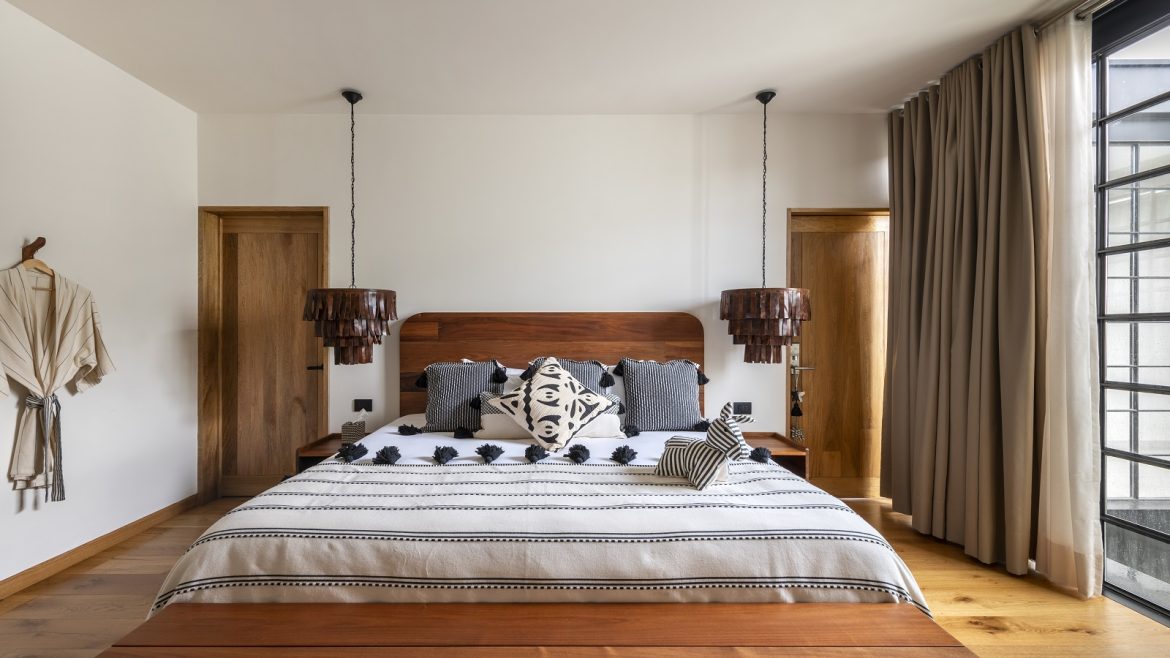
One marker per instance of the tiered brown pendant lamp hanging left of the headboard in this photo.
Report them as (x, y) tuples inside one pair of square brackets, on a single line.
[(352, 320)]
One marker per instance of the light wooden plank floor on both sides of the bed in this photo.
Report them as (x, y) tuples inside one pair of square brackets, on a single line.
[(86, 609)]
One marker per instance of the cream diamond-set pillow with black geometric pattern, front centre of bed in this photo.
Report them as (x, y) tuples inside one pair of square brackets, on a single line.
[(553, 406)]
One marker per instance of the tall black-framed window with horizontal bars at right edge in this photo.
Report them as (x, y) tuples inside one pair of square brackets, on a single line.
[(1132, 71)]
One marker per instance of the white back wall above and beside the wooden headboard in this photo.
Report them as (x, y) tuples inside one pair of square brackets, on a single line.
[(635, 214)]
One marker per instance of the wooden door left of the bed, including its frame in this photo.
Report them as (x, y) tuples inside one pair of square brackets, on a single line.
[(269, 402)]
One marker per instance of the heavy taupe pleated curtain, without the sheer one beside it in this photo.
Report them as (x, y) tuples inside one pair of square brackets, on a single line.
[(969, 232)]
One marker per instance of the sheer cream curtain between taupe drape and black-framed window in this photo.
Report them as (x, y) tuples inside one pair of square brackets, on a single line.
[(1069, 533)]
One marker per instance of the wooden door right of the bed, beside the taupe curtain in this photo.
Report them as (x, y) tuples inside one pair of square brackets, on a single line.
[(842, 258)]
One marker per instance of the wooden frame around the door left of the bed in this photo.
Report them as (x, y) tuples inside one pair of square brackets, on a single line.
[(211, 317)]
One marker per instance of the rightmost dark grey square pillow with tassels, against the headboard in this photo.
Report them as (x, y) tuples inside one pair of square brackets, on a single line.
[(662, 397)]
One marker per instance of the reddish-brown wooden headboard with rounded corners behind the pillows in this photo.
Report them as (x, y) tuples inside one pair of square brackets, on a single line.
[(514, 339)]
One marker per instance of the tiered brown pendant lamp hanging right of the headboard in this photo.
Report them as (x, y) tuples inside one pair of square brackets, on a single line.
[(765, 320)]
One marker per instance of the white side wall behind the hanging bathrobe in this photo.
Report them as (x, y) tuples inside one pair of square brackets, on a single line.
[(105, 168)]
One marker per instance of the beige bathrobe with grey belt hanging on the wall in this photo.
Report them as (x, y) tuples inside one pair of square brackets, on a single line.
[(49, 340)]
